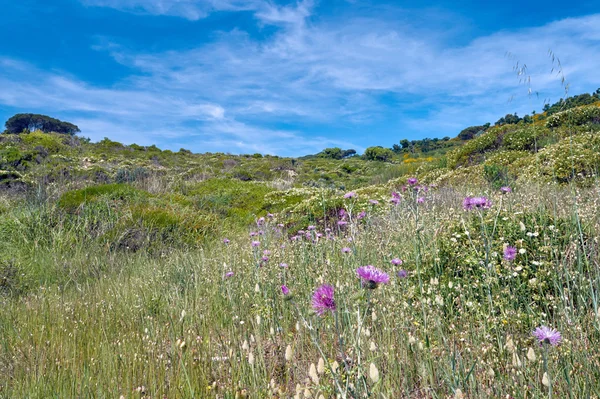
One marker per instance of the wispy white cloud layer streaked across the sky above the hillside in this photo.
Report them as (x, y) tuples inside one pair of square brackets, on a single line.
[(340, 77)]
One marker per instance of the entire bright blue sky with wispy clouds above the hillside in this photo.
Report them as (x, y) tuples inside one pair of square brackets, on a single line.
[(289, 77)]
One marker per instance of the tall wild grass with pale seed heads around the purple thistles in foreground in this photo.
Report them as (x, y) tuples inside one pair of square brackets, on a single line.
[(96, 322)]
